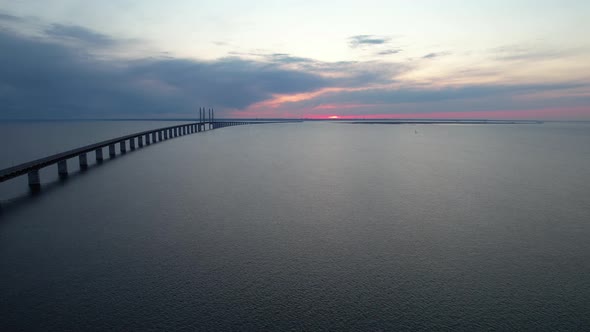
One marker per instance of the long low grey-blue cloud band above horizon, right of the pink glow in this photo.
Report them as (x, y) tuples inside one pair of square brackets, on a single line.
[(423, 100)]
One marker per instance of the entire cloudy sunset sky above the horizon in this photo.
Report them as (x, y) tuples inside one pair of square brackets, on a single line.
[(73, 59)]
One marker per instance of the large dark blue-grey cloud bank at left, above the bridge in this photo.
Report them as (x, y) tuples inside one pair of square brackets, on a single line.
[(43, 78)]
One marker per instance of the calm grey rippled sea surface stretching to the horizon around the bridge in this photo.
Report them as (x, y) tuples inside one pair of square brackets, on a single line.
[(302, 226)]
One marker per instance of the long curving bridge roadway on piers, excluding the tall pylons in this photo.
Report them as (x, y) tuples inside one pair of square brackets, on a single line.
[(150, 136)]
